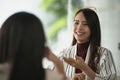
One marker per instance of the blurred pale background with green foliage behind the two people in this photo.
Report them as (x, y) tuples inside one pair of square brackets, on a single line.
[(57, 17)]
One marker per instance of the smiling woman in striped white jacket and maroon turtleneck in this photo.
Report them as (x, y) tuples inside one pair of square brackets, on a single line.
[(86, 59)]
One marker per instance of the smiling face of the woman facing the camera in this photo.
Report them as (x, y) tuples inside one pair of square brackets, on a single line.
[(81, 31)]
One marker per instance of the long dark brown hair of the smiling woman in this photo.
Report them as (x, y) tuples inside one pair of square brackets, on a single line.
[(95, 38)]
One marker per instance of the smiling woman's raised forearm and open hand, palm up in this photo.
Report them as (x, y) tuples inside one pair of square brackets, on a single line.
[(80, 64)]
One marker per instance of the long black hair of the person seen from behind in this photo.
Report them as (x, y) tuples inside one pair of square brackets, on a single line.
[(22, 43)]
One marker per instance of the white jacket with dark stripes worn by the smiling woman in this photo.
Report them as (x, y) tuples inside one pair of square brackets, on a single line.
[(106, 66)]
